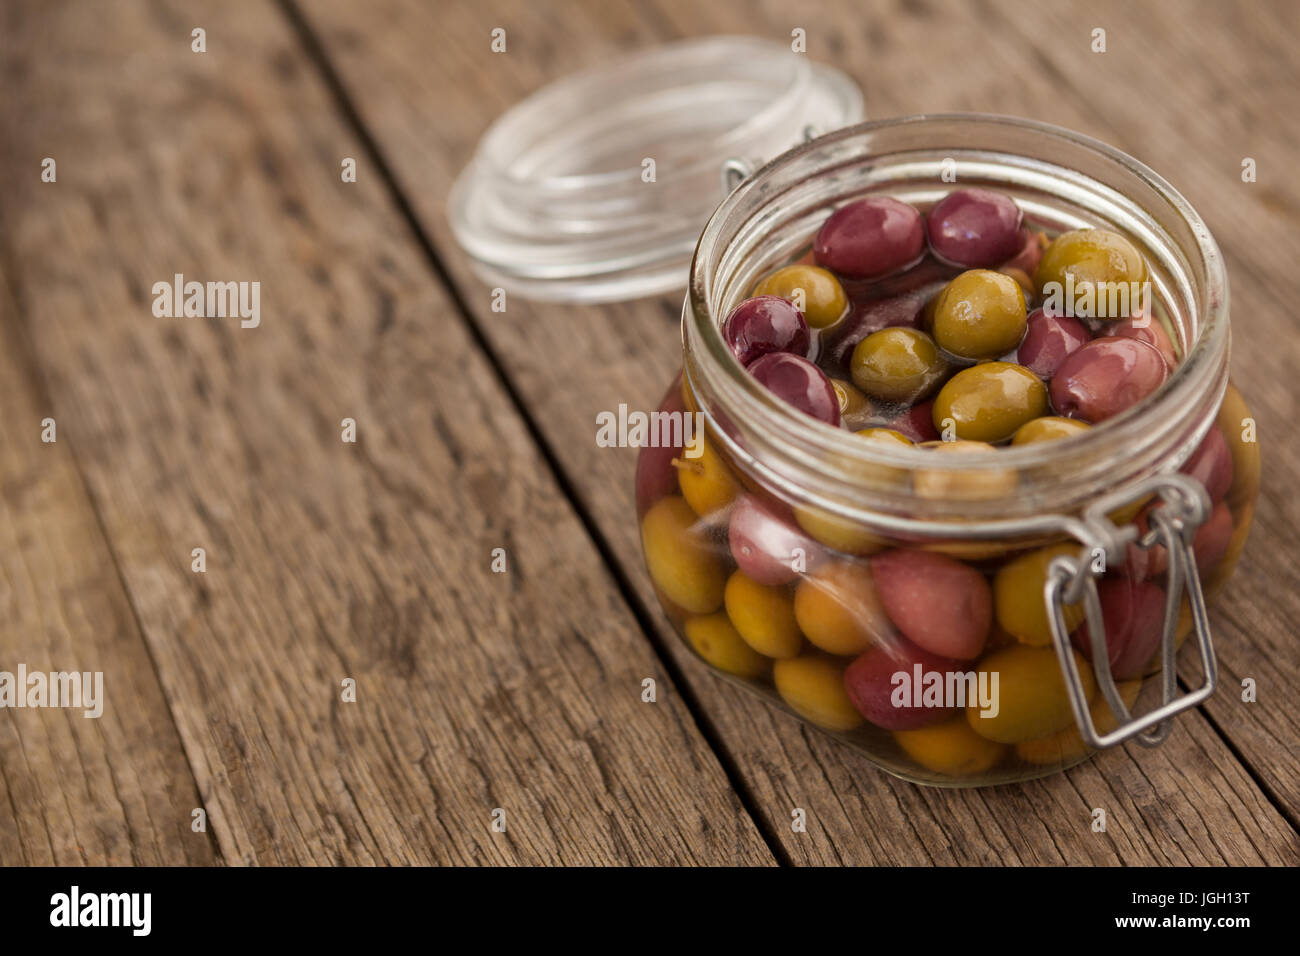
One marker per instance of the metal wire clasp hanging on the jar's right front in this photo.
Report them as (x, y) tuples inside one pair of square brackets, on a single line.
[(1071, 581)]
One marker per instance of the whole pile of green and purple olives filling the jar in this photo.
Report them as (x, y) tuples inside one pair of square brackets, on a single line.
[(938, 331)]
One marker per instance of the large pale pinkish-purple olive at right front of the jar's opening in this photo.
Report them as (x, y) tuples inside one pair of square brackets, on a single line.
[(1106, 378)]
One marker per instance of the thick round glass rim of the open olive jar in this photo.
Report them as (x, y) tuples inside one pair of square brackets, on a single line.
[(1167, 426)]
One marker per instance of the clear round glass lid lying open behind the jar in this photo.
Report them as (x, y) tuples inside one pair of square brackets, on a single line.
[(596, 188)]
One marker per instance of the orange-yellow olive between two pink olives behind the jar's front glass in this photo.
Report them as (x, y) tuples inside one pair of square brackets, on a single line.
[(839, 611)]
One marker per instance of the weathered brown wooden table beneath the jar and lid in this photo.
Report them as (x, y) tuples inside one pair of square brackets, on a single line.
[(372, 561)]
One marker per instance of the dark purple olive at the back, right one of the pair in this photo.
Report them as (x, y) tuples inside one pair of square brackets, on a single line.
[(974, 228)]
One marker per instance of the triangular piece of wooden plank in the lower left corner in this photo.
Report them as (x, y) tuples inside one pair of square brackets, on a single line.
[(107, 790)]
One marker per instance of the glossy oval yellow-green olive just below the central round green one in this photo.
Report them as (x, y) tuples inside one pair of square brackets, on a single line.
[(991, 401)]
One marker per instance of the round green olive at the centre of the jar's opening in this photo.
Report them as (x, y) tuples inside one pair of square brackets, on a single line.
[(981, 315)]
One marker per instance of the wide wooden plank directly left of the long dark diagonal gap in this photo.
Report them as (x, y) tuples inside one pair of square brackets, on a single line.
[(327, 561)]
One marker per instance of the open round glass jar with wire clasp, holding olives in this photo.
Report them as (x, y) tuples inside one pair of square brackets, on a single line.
[(824, 572)]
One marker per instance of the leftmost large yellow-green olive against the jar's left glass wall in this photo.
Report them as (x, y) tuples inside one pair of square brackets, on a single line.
[(679, 557)]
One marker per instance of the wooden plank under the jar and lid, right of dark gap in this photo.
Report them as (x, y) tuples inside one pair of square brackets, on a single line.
[(1190, 802)]
